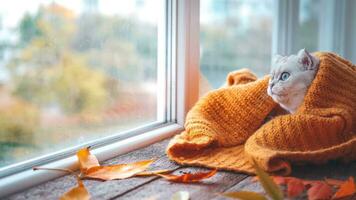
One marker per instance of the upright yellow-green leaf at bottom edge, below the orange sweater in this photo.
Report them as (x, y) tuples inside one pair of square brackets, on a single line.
[(268, 184)]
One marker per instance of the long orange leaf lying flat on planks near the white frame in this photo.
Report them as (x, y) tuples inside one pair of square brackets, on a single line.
[(120, 171)]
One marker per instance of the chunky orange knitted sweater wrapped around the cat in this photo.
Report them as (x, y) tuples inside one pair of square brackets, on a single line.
[(225, 128)]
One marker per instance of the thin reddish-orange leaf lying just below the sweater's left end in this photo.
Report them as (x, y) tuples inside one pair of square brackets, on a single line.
[(189, 177)]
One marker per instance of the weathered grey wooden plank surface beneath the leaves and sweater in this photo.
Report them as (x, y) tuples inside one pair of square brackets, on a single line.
[(157, 188)]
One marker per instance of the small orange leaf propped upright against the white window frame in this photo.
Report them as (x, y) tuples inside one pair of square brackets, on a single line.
[(86, 159)]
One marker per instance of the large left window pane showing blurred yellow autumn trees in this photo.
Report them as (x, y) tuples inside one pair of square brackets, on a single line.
[(73, 71)]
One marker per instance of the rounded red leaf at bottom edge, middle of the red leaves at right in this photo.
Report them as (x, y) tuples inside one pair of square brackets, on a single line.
[(319, 190)]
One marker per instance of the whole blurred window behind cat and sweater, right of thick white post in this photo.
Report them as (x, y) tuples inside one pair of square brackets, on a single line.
[(237, 34)]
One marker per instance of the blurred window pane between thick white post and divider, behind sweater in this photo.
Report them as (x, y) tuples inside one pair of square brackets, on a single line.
[(234, 34)]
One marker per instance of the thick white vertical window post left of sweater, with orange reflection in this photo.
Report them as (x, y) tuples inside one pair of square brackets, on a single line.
[(187, 56)]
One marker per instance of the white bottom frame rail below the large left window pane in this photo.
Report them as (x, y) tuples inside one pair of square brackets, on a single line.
[(29, 178)]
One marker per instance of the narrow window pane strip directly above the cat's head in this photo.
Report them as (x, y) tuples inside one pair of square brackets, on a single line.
[(308, 28)]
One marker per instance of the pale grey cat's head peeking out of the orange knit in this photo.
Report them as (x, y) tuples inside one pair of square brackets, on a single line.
[(291, 77)]
